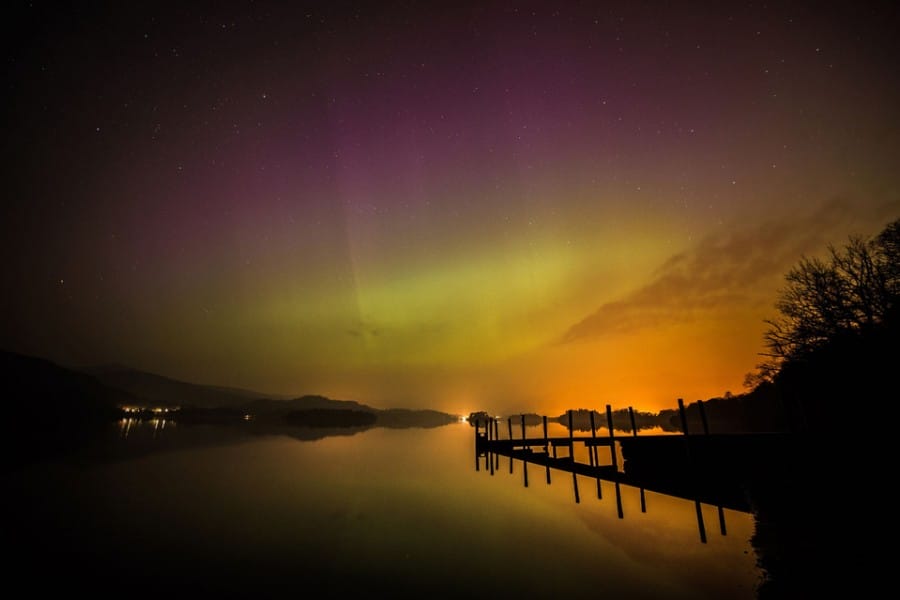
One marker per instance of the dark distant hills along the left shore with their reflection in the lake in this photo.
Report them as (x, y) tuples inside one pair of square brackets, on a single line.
[(53, 411)]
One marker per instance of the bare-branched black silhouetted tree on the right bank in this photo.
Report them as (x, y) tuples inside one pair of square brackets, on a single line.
[(834, 342)]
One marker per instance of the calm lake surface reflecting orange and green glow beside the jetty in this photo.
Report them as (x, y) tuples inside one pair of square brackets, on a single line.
[(379, 512)]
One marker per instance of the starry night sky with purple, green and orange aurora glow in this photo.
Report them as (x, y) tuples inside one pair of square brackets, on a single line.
[(502, 206)]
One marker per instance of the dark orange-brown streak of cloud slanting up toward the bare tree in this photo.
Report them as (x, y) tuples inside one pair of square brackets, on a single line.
[(726, 269)]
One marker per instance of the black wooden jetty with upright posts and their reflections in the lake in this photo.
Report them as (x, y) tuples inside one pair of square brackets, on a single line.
[(705, 468)]
